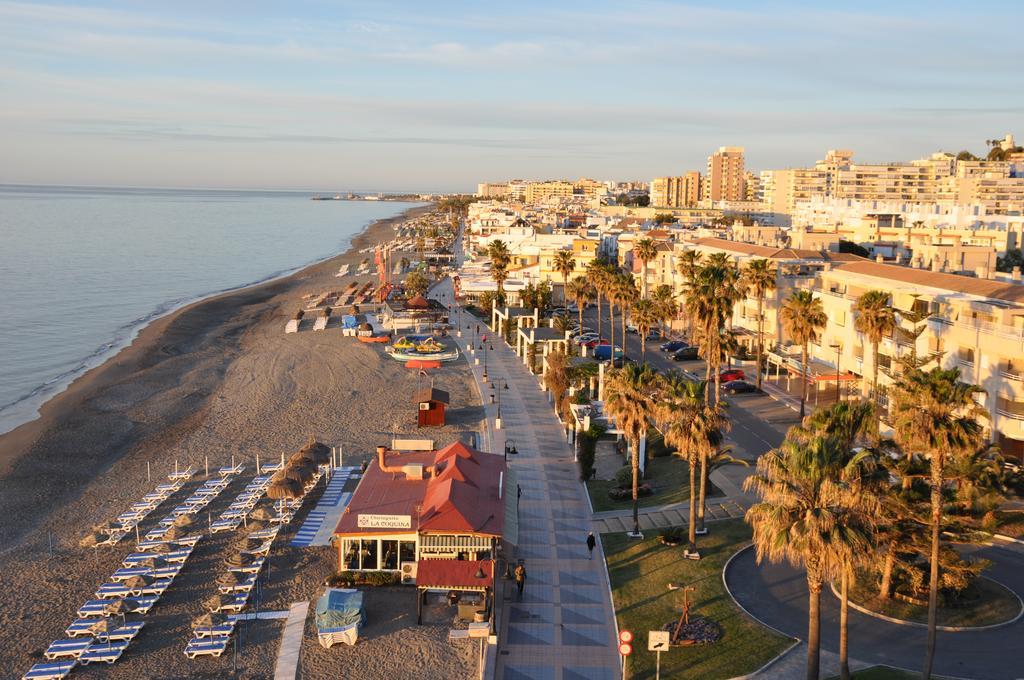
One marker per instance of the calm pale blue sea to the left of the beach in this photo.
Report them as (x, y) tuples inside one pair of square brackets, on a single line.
[(82, 271)]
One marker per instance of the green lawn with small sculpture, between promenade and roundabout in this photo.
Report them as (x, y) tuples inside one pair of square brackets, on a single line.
[(641, 573)]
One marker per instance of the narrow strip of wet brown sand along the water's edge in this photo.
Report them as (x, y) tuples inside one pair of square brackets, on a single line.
[(138, 353)]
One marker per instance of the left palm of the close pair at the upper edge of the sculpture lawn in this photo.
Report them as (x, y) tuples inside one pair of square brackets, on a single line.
[(682, 413)]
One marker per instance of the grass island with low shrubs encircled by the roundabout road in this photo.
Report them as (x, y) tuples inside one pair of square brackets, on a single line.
[(983, 604)]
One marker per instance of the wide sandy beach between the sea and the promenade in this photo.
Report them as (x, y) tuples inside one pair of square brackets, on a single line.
[(218, 378)]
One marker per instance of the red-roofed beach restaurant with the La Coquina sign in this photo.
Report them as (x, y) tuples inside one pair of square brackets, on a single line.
[(423, 512)]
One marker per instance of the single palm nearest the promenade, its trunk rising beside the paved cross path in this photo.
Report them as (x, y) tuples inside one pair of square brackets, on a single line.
[(629, 398)]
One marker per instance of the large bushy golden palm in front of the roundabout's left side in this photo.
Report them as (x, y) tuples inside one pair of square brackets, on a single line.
[(809, 515)]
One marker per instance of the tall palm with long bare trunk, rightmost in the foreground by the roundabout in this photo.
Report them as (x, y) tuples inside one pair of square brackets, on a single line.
[(935, 413)]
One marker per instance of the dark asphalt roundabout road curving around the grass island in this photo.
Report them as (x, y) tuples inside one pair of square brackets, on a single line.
[(778, 596)]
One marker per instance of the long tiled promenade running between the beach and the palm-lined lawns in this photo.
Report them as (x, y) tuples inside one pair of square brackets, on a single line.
[(565, 626)]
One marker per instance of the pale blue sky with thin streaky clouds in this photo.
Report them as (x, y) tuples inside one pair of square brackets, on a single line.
[(438, 97)]
